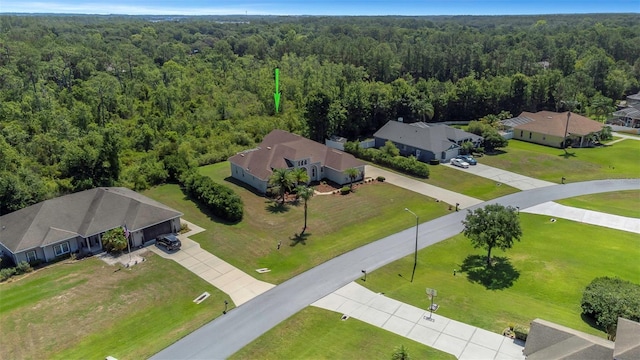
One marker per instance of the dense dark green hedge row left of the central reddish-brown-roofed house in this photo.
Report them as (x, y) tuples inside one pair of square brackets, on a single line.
[(221, 200)]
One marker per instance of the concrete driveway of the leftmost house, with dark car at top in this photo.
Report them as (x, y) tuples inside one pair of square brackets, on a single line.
[(238, 285)]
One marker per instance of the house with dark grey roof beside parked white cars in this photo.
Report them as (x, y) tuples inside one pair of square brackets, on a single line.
[(425, 141)]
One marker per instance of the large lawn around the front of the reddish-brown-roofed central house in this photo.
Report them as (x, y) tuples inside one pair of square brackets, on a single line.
[(336, 224)]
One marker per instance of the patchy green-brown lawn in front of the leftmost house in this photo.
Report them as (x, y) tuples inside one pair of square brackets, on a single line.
[(87, 309)]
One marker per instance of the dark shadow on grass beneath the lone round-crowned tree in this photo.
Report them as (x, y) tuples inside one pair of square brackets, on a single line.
[(500, 275)]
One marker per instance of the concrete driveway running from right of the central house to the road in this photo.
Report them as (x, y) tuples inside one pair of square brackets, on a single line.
[(420, 187)]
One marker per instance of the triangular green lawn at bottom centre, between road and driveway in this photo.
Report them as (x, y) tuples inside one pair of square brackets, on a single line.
[(320, 334)]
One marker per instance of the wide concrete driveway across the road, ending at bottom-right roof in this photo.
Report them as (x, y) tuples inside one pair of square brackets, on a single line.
[(461, 340)]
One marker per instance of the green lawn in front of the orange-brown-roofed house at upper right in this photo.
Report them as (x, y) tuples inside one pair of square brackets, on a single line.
[(617, 161)]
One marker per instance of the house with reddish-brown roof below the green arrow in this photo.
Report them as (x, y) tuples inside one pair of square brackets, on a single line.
[(284, 150)]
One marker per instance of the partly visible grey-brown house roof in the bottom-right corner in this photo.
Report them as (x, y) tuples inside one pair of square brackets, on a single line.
[(550, 341)]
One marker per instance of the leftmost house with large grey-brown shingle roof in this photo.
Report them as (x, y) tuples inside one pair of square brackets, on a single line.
[(75, 223)]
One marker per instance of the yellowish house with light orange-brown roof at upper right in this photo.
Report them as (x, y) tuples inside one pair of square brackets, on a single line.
[(554, 129)]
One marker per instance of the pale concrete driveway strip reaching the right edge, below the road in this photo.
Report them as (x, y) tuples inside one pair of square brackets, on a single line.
[(586, 216)]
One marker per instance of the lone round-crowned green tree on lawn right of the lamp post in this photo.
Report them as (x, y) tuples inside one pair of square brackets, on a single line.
[(492, 226)]
